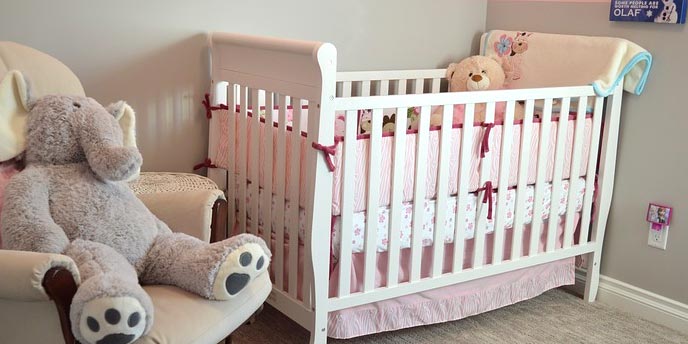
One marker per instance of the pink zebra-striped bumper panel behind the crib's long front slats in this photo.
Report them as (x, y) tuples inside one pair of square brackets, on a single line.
[(495, 139)]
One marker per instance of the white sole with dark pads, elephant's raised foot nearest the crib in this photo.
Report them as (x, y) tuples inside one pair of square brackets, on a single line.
[(241, 266)]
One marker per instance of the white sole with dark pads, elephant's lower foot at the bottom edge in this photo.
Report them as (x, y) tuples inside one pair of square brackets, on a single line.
[(112, 320)]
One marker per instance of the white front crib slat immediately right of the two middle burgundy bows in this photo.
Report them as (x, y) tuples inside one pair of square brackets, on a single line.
[(504, 170)]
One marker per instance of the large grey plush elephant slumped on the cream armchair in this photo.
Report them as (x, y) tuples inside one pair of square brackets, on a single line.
[(72, 199)]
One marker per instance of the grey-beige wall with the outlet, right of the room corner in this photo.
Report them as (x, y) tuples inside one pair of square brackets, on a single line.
[(651, 164)]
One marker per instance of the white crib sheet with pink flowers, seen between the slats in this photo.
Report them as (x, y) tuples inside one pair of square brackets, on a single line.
[(473, 206)]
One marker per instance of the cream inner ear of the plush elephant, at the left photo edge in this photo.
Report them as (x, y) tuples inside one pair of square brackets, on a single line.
[(14, 111)]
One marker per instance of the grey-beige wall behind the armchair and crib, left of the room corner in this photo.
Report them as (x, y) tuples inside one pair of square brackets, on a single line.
[(151, 53)]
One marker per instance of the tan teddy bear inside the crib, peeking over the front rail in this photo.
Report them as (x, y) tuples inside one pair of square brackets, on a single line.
[(476, 73)]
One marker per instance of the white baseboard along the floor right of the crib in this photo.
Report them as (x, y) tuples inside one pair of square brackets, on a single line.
[(639, 302)]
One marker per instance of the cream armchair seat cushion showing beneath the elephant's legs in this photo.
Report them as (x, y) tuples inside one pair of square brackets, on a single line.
[(182, 317)]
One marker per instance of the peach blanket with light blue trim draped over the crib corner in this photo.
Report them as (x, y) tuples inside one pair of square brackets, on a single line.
[(533, 59)]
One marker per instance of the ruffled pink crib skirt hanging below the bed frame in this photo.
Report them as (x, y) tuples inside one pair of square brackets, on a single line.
[(442, 304)]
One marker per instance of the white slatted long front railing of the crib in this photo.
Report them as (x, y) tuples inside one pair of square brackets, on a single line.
[(439, 274)]
